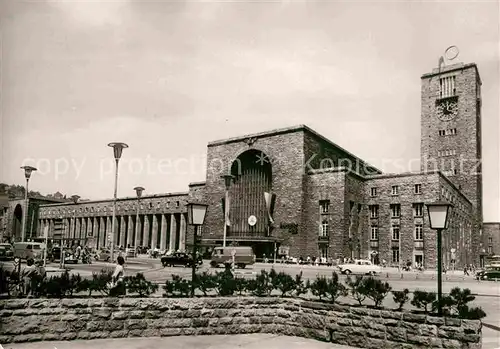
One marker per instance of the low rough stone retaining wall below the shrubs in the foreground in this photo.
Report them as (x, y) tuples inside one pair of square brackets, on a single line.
[(24, 320)]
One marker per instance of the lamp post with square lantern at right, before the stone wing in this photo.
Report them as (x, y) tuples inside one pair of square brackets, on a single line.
[(438, 220)]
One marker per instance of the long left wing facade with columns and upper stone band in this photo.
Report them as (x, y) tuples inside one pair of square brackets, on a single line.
[(154, 221)]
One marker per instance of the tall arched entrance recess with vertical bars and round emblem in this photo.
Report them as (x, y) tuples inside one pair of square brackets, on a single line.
[(253, 177)]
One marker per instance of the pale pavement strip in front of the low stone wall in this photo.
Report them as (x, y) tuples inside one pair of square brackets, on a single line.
[(246, 341)]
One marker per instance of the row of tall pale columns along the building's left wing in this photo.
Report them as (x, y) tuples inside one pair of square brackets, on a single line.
[(162, 231)]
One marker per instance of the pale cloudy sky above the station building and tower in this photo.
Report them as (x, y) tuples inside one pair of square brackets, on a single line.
[(167, 77)]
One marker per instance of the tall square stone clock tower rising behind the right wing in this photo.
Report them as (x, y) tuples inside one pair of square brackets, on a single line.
[(451, 132)]
